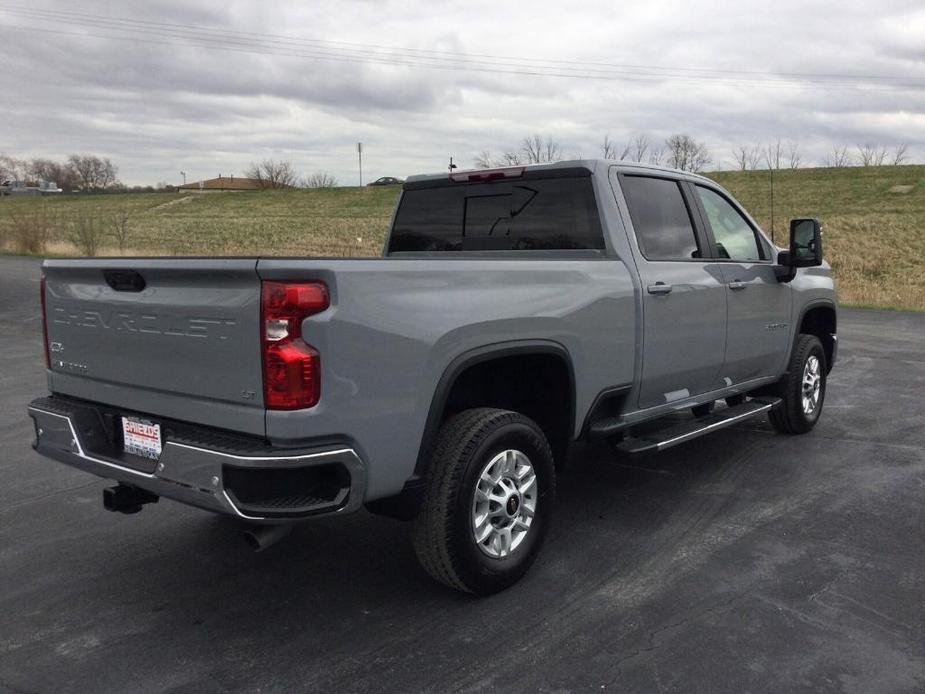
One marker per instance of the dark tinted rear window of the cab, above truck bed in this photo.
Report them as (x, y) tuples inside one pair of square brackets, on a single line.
[(543, 214)]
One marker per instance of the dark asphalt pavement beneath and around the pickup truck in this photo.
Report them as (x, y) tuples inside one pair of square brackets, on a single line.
[(744, 561)]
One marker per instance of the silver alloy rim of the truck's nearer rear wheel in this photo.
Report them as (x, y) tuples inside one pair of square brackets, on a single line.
[(504, 503)]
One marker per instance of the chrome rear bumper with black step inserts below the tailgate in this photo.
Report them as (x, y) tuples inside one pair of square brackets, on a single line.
[(197, 474)]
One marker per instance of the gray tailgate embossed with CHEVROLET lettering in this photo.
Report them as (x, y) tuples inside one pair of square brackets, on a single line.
[(177, 338)]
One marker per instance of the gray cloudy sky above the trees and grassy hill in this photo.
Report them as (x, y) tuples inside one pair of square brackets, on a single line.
[(207, 87)]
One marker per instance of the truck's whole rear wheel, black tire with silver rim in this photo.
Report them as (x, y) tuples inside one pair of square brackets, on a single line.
[(488, 501)]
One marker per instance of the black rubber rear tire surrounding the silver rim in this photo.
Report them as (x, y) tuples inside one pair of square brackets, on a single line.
[(443, 533)]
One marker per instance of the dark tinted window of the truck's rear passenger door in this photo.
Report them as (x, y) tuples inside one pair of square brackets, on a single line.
[(662, 222)]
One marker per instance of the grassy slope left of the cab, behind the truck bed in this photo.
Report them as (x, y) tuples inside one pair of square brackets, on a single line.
[(335, 221)]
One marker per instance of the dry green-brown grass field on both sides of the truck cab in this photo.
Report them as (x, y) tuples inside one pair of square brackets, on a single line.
[(874, 220)]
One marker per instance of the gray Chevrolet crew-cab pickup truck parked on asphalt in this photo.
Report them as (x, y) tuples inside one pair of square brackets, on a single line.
[(514, 312)]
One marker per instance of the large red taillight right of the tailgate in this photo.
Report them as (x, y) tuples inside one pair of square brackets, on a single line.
[(291, 366)]
